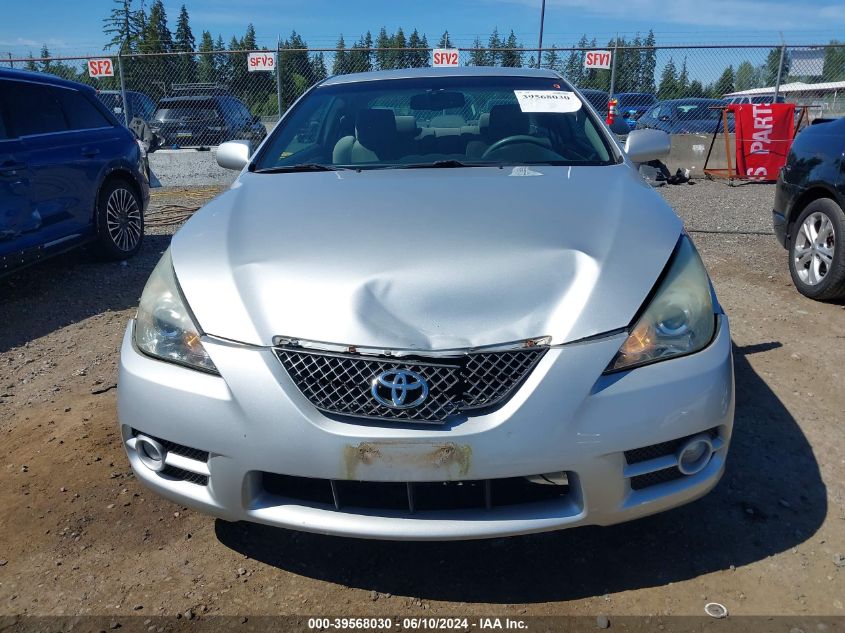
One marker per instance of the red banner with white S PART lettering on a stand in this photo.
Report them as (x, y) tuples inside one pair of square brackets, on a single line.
[(764, 133)]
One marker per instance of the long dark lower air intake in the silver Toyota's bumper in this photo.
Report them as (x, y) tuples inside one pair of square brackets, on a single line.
[(413, 496)]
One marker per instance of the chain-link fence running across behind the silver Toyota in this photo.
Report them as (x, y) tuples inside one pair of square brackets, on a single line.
[(204, 98)]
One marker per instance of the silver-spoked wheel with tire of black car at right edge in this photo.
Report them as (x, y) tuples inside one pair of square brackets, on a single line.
[(816, 251)]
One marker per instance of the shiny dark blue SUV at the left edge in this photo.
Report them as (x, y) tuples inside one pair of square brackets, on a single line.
[(70, 173)]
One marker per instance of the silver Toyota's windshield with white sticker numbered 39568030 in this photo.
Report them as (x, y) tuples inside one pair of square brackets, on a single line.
[(438, 122)]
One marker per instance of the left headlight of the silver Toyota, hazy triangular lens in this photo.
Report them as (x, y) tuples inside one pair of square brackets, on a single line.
[(164, 327)]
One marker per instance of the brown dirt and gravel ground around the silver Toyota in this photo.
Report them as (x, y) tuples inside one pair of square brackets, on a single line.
[(78, 535)]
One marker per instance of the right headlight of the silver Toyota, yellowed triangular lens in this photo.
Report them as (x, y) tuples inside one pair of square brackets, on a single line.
[(678, 321)]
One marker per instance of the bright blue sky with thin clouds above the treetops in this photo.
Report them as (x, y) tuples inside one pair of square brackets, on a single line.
[(75, 28)]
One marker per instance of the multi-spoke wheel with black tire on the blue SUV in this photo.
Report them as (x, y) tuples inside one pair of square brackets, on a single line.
[(120, 227)]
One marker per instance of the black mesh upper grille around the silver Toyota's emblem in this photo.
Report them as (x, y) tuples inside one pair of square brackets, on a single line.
[(340, 382)]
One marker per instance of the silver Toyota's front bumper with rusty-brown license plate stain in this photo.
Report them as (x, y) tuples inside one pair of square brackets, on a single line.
[(253, 423)]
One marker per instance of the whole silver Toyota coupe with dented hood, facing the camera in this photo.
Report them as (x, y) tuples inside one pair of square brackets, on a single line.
[(435, 304)]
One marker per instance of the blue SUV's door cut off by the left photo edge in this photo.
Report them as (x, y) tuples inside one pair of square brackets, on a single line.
[(18, 225)]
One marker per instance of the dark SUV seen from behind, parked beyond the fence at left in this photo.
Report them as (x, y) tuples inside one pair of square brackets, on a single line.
[(205, 120)]
